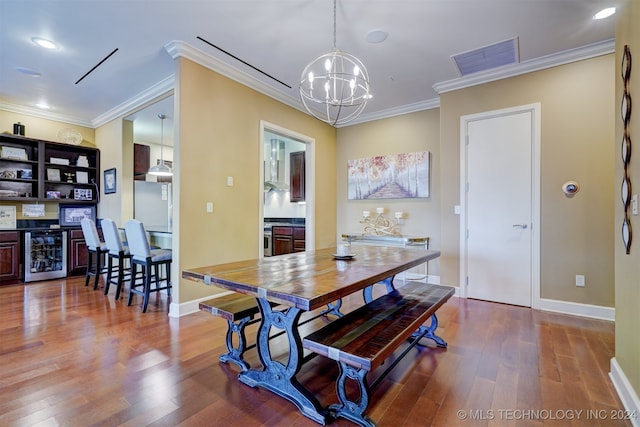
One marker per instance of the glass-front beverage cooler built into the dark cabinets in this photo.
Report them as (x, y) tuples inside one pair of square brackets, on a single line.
[(45, 255)]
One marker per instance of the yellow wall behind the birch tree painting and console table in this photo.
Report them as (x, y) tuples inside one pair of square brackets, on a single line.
[(401, 134)]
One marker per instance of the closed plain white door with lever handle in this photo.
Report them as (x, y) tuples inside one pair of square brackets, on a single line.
[(499, 206)]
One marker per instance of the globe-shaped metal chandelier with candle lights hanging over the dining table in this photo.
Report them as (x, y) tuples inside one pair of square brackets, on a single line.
[(335, 86)]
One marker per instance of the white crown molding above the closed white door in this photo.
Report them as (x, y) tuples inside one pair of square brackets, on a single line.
[(572, 55)]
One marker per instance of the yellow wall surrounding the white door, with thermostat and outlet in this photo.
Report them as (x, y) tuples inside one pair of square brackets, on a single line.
[(577, 143)]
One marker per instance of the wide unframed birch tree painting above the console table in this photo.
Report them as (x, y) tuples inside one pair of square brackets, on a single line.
[(396, 176)]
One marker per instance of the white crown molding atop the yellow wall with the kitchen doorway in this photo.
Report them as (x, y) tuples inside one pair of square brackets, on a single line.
[(178, 48)]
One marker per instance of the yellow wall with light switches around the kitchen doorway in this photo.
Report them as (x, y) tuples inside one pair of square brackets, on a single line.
[(219, 136)]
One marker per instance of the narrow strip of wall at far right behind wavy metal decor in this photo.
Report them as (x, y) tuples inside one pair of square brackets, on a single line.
[(627, 267)]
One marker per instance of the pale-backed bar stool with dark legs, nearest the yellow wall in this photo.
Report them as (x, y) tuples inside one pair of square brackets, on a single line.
[(149, 261)]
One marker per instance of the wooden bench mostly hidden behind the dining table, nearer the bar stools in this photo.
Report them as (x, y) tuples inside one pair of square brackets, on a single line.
[(240, 311)]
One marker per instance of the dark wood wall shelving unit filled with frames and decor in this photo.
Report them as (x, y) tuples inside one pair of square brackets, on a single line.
[(37, 170)]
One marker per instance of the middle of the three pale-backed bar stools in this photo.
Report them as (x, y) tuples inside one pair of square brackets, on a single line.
[(116, 251)]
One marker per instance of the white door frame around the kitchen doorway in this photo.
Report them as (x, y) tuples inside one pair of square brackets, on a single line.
[(309, 177)]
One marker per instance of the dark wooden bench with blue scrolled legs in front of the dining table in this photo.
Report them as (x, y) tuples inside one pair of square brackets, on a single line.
[(363, 339)]
